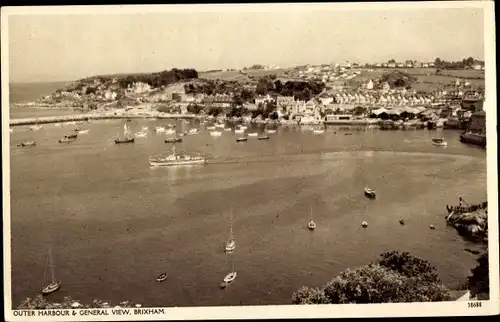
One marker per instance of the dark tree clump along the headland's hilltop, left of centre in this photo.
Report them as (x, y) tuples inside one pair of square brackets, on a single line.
[(163, 78)]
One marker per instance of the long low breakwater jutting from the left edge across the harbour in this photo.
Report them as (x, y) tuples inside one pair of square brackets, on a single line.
[(95, 116)]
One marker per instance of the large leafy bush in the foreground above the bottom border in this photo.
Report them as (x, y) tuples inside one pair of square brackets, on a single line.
[(395, 278)]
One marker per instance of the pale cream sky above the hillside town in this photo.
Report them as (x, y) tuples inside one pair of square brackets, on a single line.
[(63, 47)]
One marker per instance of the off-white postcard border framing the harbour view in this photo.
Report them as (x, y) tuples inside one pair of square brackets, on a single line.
[(279, 311)]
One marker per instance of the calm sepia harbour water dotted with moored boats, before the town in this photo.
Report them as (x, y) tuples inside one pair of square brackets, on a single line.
[(114, 223)]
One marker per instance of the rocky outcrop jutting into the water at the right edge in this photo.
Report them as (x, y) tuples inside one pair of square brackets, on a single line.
[(471, 225)]
